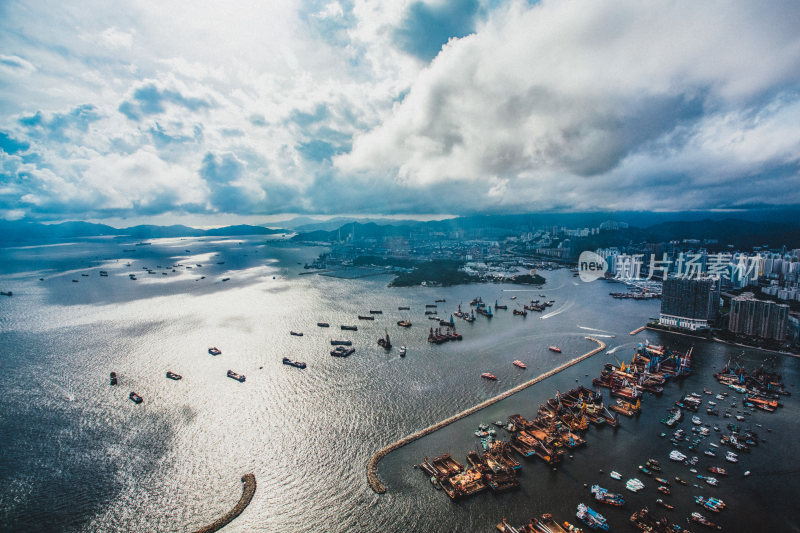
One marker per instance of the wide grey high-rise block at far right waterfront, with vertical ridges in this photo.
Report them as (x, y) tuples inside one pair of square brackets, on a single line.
[(758, 318)]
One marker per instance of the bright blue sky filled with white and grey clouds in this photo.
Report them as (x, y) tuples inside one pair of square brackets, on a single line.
[(239, 110)]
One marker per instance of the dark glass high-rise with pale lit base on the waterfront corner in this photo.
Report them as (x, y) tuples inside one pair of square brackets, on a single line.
[(689, 303)]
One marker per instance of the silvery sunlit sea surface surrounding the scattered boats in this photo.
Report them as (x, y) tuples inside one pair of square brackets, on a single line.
[(78, 455)]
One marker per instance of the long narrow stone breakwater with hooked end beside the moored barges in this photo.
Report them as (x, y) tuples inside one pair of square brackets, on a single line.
[(372, 465)]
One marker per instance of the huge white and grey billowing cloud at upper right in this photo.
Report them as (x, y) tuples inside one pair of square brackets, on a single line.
[(543, 95)]
